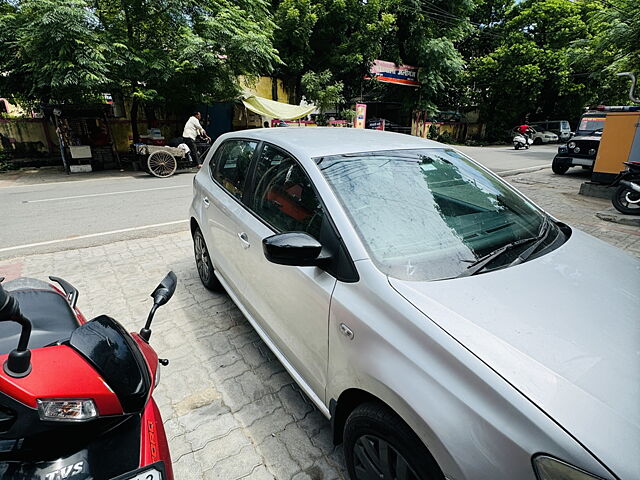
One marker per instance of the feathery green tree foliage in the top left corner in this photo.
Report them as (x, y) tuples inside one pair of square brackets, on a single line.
[(52, 51)]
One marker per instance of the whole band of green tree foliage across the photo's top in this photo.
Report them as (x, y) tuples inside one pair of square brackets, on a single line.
[(535, 58)]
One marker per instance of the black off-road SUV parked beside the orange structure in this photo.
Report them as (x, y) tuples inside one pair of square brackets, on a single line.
[(581, 150)]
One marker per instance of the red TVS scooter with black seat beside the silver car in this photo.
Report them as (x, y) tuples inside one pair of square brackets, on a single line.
[(75, 395)]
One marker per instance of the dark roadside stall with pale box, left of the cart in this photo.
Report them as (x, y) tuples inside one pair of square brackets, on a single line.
[(84, 135)]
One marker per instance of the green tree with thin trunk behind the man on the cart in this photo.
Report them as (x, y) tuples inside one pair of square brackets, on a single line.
[(177, 53)]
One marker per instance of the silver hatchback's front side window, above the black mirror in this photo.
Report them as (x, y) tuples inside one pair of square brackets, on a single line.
[(284, 196)]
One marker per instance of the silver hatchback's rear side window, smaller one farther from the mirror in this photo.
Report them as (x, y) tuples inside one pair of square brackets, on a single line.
[(232, 165)]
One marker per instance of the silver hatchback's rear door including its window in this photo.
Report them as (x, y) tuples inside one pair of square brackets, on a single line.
[(224, 188)]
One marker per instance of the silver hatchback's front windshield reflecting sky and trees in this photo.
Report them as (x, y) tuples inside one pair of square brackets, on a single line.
[(427, 214)]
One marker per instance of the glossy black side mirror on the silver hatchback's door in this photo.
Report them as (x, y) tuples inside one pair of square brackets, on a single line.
[(294, 248)]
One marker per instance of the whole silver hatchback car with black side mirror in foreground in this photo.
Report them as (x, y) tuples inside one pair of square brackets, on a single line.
[(446, 325)]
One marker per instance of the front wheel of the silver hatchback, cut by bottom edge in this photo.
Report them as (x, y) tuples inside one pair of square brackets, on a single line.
[(372, 430)]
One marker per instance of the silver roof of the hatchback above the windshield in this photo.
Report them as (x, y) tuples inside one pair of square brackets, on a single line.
[(323, 141)]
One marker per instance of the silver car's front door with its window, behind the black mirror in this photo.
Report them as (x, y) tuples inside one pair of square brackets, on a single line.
[(290, 303)]
